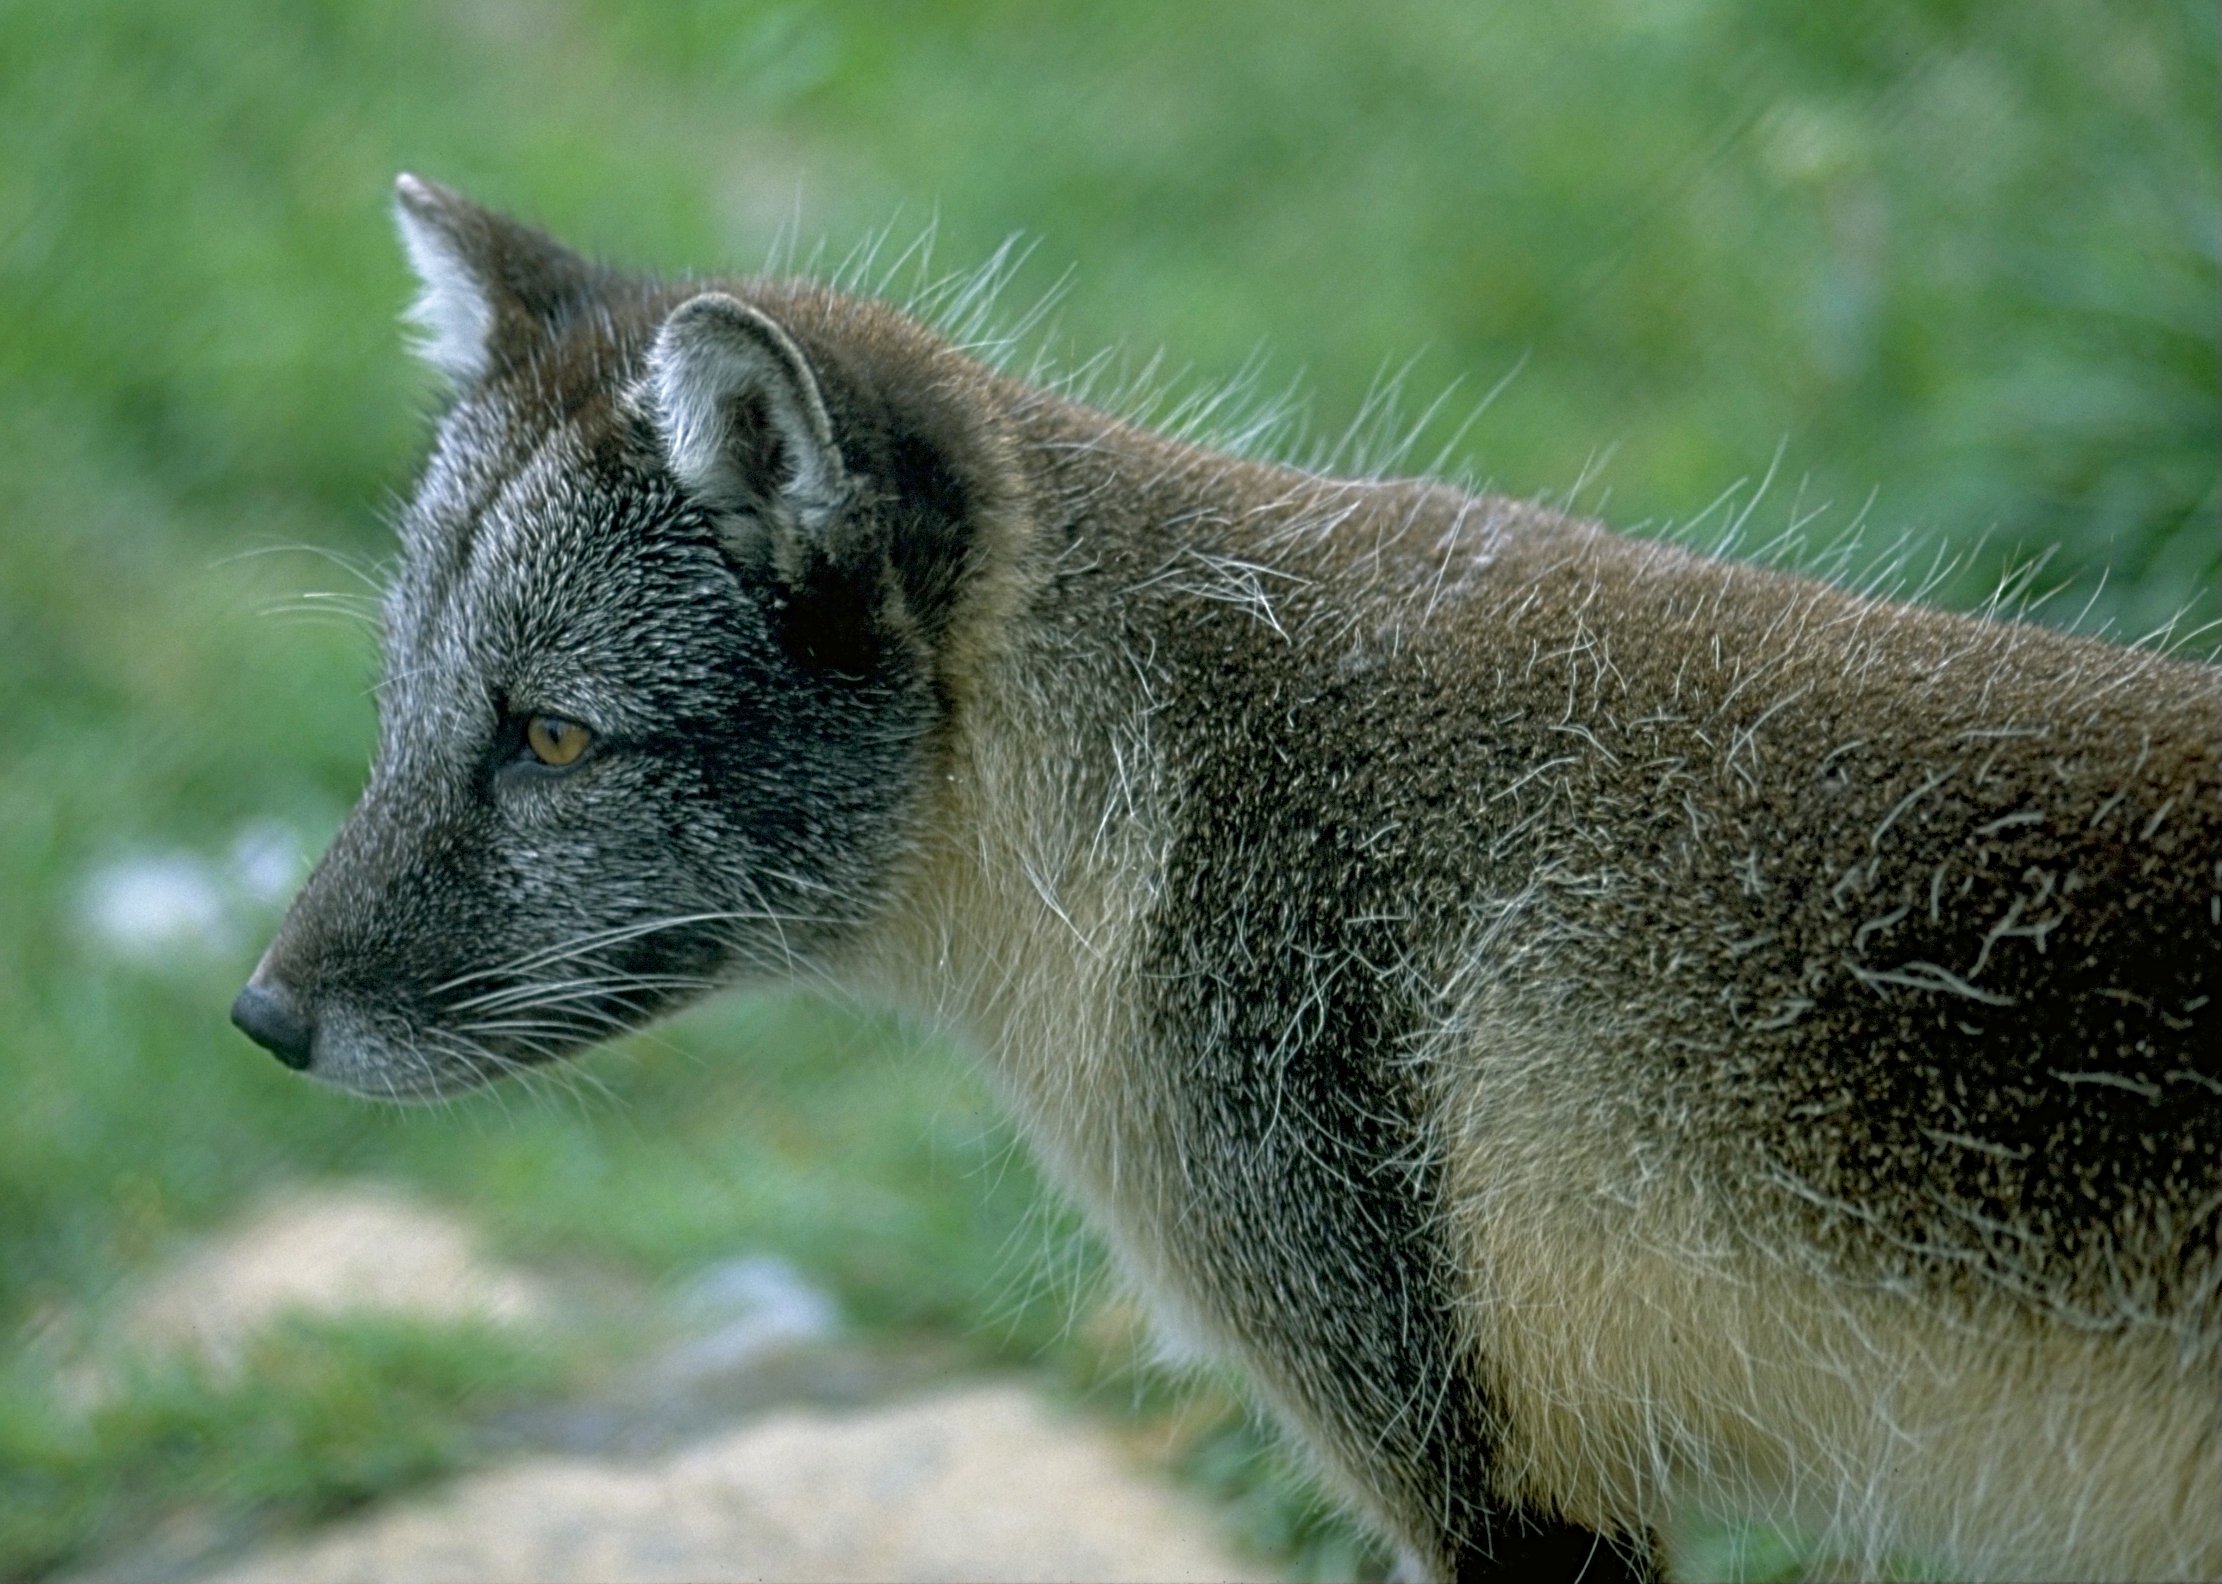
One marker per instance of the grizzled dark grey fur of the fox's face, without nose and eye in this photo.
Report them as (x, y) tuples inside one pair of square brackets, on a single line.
[(752, 763)]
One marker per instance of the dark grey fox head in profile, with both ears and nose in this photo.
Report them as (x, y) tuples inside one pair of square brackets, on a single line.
[(663, 676)]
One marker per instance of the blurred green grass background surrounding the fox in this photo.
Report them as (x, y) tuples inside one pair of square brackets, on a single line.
[(1945, 268)]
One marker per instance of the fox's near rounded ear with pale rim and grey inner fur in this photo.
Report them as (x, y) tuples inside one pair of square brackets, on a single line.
[(741, 417)]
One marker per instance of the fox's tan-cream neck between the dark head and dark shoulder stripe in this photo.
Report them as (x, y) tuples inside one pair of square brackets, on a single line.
[(1021, 919)]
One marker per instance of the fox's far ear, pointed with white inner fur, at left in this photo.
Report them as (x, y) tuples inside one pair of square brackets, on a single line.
[(492, 288)]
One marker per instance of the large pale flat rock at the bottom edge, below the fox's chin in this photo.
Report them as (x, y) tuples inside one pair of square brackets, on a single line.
[(970, 1485)]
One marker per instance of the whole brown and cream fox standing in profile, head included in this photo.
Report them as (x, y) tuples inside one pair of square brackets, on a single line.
[(1594, 1032)]
